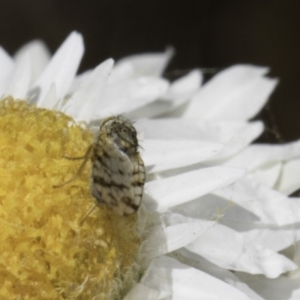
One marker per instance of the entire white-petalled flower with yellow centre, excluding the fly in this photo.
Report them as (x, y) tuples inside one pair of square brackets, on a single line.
[(215, 218)]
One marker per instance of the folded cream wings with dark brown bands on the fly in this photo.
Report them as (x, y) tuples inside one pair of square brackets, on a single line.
[(117, 179)]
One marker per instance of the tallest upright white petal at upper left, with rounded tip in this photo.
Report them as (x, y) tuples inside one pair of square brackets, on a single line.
[(61, 69)]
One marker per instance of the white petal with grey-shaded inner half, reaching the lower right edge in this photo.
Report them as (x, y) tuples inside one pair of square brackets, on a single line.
[(214, 208)]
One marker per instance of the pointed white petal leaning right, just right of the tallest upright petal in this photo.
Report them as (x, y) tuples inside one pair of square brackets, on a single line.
[(83, 103)]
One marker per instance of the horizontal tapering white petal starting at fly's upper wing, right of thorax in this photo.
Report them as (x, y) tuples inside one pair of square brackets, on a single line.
[(164, 155)]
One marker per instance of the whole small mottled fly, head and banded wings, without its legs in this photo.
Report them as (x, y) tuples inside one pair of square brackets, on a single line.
[(118, 172)]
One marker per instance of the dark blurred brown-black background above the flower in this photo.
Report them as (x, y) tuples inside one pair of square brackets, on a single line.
[(204, 33)]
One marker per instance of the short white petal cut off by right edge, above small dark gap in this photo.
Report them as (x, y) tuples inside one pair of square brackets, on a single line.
[(289, 181)]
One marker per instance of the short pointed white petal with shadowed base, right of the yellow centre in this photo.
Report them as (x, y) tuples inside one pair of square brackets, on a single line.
[(164, 240)]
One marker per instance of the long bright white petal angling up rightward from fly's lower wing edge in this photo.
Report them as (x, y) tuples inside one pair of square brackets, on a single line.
[(175, 190)]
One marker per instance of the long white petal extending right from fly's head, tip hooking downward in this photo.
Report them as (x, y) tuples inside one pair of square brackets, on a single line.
[(233, 135)]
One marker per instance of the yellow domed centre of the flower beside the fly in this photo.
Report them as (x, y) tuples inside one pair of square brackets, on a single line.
[(44, 252)]
